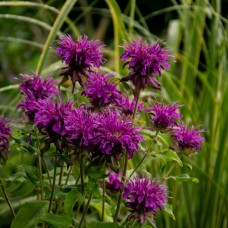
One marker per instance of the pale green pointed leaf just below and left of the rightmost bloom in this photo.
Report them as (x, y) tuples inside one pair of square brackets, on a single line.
[(168, 155)]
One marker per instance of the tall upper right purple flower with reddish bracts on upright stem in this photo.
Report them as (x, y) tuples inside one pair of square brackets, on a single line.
[(144, 61)]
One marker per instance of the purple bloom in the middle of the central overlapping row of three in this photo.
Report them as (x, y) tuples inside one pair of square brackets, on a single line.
[(79, 127)]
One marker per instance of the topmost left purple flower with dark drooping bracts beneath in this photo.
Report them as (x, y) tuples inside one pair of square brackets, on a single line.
[(80, 56)]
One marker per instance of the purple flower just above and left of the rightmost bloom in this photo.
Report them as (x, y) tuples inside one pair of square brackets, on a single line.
[(163, 116)]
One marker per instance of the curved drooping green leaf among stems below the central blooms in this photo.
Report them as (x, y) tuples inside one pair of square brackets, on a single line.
[(71, 198)]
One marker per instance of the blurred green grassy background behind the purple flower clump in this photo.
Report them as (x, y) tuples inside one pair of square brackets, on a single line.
[(196, 31)]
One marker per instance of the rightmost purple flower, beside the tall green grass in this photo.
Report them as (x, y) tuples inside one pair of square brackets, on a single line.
[(188, 139)]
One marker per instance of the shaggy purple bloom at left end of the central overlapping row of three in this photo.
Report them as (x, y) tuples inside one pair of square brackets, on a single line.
[(50, 117)]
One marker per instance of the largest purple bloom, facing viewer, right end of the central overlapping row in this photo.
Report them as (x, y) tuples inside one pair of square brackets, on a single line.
[(114, 135)]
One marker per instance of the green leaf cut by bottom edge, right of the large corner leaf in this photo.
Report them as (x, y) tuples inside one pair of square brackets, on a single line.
[(57, 221)]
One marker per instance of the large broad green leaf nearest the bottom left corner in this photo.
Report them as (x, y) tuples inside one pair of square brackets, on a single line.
[(29, 214)]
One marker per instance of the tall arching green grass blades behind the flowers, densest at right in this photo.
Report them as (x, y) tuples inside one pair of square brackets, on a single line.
[(198, 78)]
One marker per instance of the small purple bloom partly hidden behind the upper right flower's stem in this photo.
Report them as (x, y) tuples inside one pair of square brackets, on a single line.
[(127, 106)]
